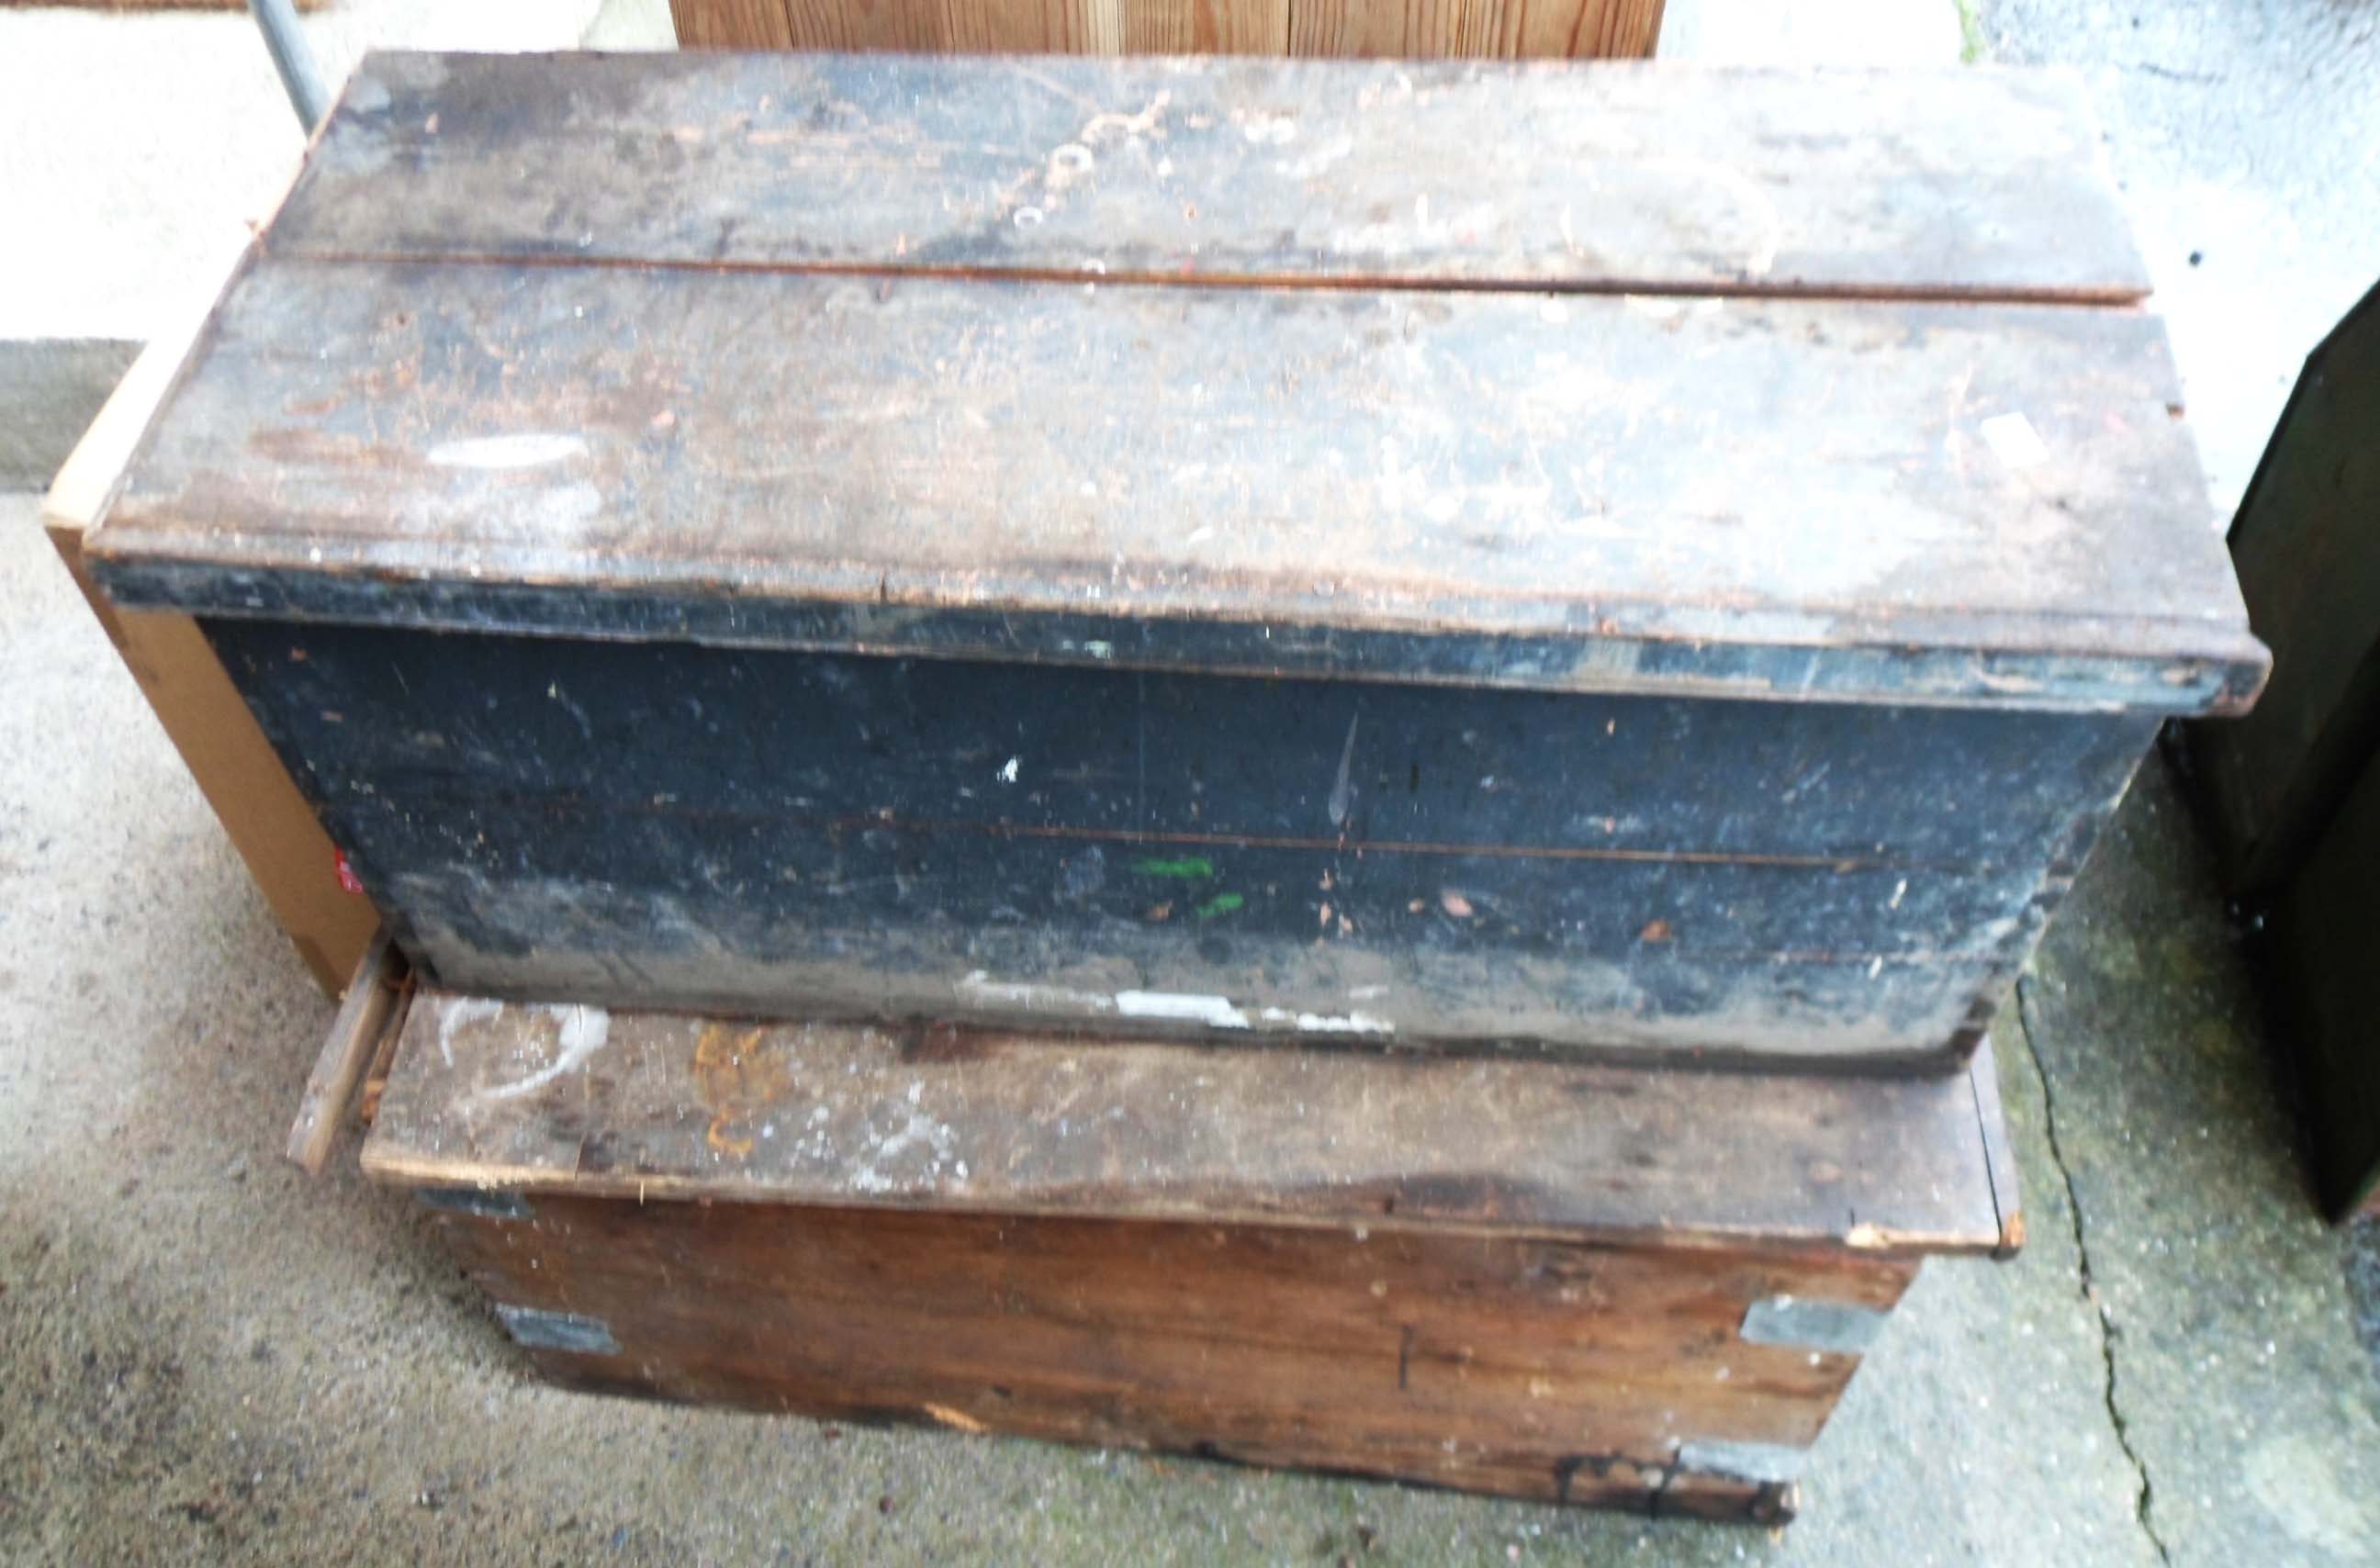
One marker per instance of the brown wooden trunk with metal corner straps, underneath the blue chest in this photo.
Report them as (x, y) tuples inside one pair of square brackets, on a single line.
[(1548, 1281)]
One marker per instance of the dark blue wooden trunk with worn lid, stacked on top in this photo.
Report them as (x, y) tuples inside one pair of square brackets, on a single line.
[(1194, 548)]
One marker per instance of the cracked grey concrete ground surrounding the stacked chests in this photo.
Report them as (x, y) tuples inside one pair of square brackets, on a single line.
[(208, 1357)]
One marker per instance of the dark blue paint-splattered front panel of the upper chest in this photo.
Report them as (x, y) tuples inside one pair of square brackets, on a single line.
[(777, 832)]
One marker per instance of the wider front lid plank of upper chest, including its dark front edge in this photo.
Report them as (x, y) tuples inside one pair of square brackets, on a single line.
[(1167, 477)]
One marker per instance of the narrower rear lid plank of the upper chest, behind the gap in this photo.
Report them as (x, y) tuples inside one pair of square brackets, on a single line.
[(1620, 180)]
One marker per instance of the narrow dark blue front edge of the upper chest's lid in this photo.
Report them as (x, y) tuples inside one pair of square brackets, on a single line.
[(2181, 667)]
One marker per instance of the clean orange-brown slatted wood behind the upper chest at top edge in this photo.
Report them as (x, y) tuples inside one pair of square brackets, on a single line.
[(1386, 30)]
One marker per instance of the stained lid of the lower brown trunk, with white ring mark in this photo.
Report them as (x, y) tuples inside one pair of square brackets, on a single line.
[(577, 1100)]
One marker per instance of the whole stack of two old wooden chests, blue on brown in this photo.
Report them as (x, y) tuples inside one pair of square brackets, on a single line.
[(1017, 679)]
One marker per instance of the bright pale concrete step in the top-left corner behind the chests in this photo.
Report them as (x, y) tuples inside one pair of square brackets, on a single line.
[(115, 222)]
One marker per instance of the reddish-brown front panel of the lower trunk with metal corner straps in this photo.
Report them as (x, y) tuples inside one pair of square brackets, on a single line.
[(1553, 1372)]
